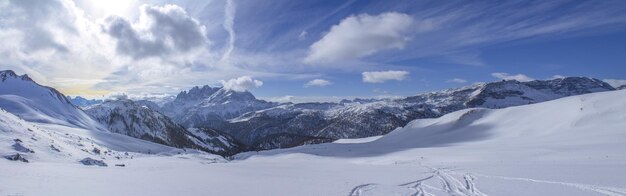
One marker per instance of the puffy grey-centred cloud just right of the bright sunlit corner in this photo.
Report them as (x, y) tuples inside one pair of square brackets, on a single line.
[(160, 31)]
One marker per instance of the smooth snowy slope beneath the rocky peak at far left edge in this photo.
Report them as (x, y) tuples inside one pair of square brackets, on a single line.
[(25, 98)]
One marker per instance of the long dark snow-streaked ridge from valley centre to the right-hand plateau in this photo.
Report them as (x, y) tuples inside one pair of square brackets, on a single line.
[(290, 125)]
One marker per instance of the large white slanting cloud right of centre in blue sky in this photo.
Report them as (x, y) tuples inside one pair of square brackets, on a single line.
[(361, 35)]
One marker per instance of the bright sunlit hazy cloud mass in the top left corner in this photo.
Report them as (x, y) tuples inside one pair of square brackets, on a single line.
[(52, 41)]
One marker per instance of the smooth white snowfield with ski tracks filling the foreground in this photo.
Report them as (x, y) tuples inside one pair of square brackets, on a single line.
[(569, 146)]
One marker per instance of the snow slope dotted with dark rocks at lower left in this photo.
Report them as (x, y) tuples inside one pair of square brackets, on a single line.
[(42, 142)]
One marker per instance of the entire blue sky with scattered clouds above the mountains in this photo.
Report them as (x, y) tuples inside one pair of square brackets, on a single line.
[(342, 49)]
